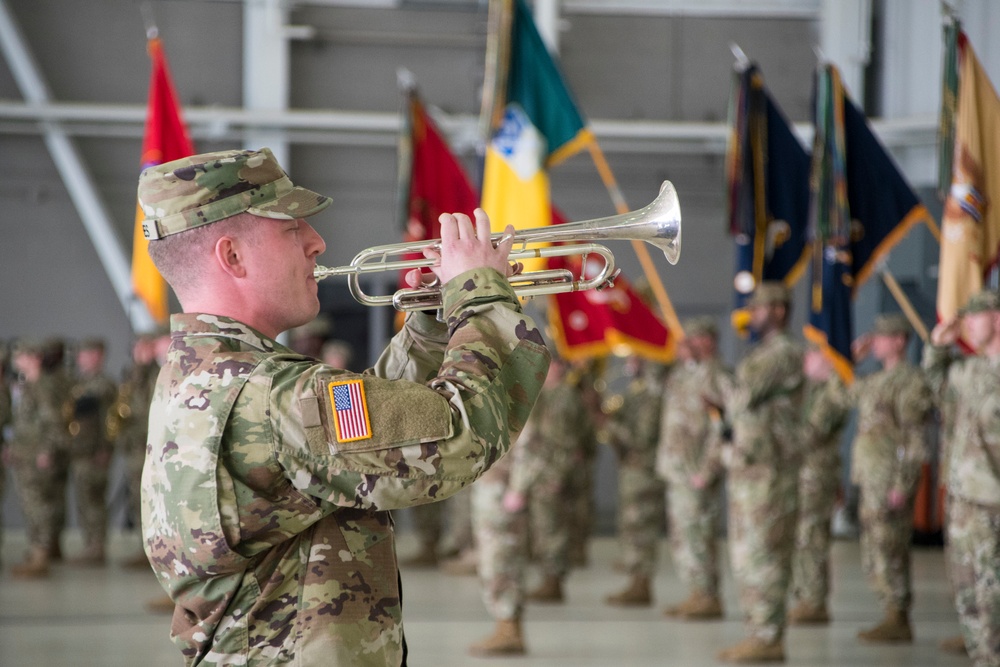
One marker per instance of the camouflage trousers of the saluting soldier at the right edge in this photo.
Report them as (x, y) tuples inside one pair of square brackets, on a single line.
[(974, 567)]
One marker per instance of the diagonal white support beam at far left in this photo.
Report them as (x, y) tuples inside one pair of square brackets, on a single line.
[(75, 175)]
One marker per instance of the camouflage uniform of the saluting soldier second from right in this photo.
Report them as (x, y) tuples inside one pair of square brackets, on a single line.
[(889, 450)]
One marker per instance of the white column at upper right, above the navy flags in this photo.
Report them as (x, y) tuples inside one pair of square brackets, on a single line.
[(845, 40)]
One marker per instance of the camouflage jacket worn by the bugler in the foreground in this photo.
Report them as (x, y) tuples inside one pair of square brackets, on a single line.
[(266, 527)]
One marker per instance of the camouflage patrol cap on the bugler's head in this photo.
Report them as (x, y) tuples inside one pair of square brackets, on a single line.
[(198, 190)]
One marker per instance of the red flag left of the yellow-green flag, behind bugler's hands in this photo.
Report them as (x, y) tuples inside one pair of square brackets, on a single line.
[(438, 183)]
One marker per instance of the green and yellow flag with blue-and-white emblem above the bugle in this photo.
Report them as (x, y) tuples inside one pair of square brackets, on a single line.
[(539, 125)]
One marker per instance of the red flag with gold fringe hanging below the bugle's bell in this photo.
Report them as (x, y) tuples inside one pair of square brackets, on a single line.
[(595, 323)]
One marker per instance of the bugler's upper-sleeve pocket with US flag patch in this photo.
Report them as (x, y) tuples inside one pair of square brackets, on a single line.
[(361, 413)]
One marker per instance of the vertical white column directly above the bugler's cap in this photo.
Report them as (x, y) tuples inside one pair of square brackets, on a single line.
[(266, 71)]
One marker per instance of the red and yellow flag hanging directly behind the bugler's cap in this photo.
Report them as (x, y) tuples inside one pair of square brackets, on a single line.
[(166, 139)]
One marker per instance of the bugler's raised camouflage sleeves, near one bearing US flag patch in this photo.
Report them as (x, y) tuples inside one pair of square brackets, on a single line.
[(420, 433)]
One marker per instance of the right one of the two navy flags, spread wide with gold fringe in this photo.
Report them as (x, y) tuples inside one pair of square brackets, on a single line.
[(861, 207)]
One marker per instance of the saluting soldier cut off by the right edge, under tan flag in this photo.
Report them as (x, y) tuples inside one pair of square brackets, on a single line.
[(973, 522)]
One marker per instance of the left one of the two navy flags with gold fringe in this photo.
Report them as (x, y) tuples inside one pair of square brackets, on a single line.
[(767, 179)]
